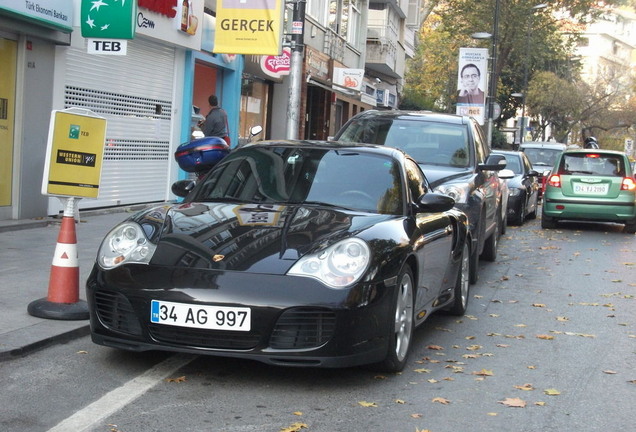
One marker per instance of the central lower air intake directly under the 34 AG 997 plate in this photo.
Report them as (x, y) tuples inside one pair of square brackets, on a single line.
[(203, 338)]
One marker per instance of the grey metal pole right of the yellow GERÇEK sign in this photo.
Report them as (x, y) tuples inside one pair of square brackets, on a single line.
[(296, 69)]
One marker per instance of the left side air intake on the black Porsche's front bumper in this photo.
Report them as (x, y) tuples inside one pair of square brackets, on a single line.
[(116, 313)]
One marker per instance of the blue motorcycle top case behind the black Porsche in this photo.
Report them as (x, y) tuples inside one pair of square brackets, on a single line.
[(201, 154)]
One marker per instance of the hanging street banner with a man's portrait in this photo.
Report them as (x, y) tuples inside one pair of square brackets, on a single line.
[(472, 86)]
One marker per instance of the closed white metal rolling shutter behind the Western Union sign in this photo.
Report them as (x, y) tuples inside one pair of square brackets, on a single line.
[(134, 93)]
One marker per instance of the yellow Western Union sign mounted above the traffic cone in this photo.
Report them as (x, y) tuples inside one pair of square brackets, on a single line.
[(74, 154)]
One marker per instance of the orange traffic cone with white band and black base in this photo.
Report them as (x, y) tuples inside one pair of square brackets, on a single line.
[(63, 300)]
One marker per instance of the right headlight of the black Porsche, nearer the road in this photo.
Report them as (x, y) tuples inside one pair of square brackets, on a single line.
[(339, 265)]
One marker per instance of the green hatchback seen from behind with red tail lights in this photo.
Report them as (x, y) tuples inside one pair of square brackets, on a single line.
[(591, 185)]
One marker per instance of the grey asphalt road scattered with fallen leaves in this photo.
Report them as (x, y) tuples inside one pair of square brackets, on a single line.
[(548, 344)]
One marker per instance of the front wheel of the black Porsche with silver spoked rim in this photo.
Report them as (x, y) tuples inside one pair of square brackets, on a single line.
[(403, 324)]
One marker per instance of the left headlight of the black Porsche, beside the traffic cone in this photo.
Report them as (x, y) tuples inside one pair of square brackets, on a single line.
[(126, 243)]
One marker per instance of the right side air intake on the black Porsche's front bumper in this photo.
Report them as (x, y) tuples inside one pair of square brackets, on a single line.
[(303, 328)]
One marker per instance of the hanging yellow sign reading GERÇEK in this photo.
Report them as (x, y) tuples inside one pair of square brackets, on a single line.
[(249, 27)]
